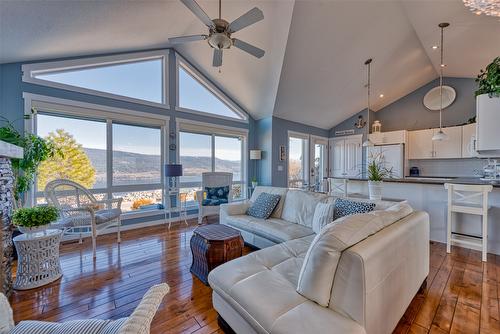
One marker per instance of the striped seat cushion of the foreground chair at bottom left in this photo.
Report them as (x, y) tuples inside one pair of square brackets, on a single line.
[(88, 326)]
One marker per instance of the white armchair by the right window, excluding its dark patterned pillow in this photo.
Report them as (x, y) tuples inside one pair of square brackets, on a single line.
[(212, 179)]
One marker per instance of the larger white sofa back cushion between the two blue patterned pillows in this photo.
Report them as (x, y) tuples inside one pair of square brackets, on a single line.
[(300, 205)]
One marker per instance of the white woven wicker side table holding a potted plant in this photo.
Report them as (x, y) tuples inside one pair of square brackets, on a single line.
[(38, 259)]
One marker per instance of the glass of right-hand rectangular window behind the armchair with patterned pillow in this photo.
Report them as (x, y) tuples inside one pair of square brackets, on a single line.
[(202, 152)]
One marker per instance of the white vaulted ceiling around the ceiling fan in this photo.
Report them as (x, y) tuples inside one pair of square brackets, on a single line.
[(313, 70)]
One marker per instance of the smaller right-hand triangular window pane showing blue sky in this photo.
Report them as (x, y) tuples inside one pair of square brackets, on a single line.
[(195, 95)]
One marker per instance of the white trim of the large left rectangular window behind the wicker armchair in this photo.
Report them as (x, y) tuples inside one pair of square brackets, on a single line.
[(66, 107)]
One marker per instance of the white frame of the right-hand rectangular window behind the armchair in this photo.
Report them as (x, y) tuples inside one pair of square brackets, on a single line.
[(185, 125)]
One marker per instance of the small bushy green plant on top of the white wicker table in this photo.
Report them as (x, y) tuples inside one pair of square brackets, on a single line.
[(36, 219)]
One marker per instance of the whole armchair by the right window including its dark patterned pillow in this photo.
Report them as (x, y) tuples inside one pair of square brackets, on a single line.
[(209, 204)]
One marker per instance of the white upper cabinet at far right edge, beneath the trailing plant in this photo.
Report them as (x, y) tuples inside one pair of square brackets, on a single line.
[(488, 119)]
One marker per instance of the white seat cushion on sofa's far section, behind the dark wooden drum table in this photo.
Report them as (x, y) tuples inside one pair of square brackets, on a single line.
[(274, 229)]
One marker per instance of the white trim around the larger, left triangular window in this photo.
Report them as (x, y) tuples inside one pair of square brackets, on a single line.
[(30, 69)]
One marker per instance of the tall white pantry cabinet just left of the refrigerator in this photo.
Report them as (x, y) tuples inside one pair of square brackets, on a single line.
[(345, 156)]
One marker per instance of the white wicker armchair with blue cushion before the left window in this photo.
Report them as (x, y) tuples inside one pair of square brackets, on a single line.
[(81, 211)]
